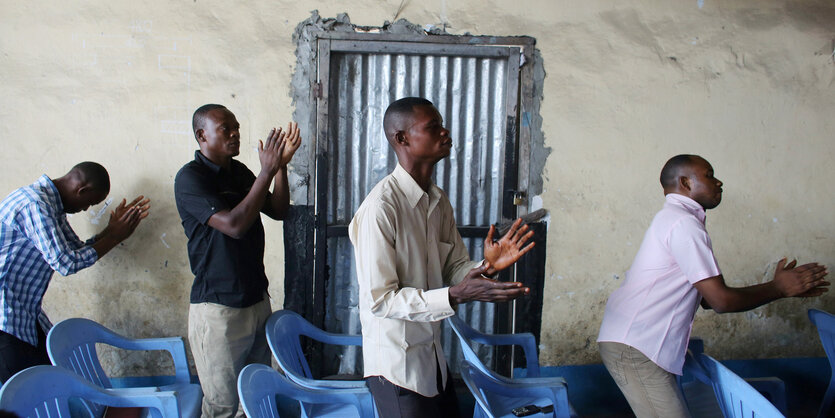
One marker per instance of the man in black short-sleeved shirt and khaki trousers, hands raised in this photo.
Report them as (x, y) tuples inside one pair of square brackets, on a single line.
[(220, 201)]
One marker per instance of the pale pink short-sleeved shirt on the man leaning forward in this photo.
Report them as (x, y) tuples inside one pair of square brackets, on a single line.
[(653, 309)]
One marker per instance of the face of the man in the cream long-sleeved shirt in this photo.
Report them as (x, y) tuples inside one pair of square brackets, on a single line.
[(426, 137)]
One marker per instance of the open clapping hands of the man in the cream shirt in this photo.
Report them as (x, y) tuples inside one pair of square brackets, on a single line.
[(498, 255)]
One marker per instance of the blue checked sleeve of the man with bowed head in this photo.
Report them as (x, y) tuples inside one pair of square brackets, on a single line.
[(46, 232)]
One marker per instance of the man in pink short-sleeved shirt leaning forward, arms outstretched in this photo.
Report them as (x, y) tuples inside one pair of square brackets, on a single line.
[(646, 327)]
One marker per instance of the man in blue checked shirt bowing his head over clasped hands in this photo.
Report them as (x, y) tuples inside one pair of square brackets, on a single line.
[(36, 239)]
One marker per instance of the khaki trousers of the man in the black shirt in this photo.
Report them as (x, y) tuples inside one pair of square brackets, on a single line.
[(223, 340)]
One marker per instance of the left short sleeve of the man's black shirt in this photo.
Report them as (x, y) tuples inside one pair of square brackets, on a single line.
[(197, 195)]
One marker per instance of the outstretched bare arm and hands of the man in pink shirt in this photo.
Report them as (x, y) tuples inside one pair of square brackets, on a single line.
[(789, 281)]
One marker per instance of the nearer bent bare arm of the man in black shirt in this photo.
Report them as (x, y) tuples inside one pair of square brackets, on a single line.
[(237, 221)]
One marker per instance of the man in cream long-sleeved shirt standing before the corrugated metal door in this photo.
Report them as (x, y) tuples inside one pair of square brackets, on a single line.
[(413, 267)]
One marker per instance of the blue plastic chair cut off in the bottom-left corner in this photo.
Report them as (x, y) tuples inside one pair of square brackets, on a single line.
[(45, 391)]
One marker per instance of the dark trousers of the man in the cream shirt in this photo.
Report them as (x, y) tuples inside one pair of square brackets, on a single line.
[(396, 402)]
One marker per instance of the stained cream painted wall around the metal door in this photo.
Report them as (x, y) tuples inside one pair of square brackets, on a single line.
[(747, 84)]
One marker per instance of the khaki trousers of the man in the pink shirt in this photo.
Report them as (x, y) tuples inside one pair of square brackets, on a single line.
[(650, 390)]
